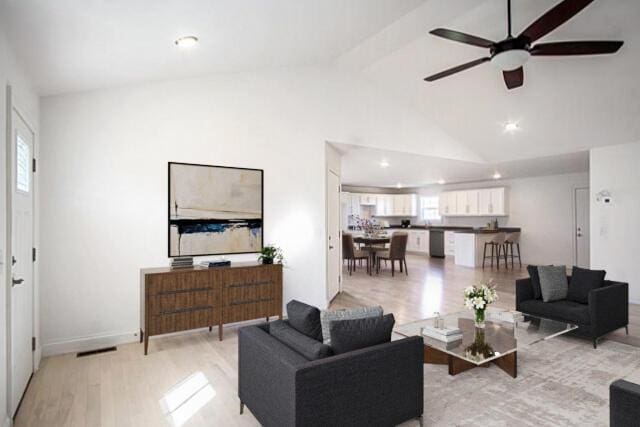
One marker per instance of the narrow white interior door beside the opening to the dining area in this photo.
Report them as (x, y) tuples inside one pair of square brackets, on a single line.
[(333, 235)]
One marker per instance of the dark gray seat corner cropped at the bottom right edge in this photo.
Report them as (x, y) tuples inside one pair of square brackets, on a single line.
[(624, 404)]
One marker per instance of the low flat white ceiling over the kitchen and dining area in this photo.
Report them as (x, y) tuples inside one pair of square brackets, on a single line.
[(361, 167)]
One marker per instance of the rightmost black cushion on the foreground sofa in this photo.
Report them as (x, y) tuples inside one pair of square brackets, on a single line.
[(349, 335)]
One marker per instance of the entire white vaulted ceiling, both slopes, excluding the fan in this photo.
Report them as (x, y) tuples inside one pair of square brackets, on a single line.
[(567, 105)]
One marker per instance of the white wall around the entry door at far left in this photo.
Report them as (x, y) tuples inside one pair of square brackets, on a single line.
[(10, 74)]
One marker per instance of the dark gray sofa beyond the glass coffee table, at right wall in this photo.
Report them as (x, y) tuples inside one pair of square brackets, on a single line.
[(606, 311)]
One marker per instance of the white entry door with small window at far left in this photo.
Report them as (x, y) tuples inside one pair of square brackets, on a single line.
[(21, 252)]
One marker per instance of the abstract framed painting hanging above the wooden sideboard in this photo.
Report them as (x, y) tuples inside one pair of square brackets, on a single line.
[(214, 210)]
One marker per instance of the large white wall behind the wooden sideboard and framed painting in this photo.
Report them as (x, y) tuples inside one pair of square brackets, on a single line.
[(104, 195)]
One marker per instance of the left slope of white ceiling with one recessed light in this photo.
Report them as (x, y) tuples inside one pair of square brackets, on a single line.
[(73, 45)]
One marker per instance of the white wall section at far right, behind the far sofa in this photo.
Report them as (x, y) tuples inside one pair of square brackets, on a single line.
[(615, 229)]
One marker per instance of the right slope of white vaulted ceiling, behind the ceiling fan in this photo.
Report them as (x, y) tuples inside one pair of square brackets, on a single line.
[(566, 104)]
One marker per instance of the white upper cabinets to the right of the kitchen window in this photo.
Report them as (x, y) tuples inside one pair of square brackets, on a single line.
[(481, 202)]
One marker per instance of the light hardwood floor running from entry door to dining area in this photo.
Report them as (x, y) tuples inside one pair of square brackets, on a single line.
[(125, 388)]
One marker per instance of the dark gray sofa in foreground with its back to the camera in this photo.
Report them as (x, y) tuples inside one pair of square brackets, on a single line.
[(380, 385)]
